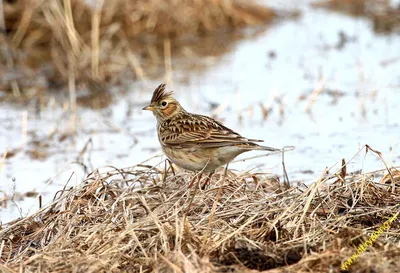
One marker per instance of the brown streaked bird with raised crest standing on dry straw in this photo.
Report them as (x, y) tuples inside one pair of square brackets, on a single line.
[(196, 142)]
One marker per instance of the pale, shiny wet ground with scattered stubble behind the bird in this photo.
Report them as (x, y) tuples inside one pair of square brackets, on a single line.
[(325, 83)]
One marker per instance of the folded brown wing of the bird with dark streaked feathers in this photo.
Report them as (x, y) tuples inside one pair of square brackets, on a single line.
[(191, 130)]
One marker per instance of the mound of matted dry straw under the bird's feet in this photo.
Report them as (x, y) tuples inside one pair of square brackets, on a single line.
[(146, 219)]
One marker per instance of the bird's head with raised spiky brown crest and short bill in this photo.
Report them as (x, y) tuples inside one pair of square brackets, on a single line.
[(163, 105)]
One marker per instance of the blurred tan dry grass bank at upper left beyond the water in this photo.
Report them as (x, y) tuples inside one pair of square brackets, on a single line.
[(94, 43)]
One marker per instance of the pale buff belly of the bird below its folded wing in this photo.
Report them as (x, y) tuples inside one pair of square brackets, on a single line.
[(199, 159)]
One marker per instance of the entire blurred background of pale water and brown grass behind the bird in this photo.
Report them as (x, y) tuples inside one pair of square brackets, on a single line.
[(321, 75)]
